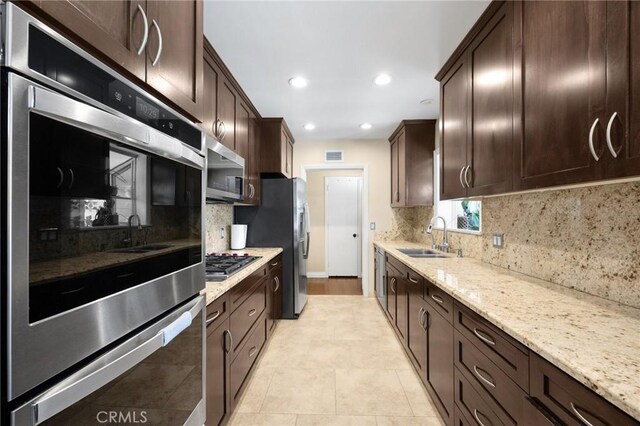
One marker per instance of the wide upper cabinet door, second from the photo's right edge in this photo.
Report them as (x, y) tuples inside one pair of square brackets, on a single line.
[(560, 91)]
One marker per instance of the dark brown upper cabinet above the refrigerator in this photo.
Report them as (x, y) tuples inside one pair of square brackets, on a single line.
[(276, 150)]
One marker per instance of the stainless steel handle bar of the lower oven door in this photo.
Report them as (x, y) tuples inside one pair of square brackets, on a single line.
[(89, 379)]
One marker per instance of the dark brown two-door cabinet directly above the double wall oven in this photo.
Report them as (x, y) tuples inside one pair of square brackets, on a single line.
[(157, 42)]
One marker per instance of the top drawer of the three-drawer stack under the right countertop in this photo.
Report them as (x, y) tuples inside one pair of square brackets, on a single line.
[(506, 353)]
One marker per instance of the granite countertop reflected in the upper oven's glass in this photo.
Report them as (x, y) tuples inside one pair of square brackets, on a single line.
[(49, 270)]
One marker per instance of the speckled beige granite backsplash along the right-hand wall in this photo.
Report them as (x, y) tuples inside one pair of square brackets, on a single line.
[(583, 238)]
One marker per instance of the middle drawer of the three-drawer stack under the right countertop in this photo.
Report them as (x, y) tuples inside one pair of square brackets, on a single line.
[(478, 367)]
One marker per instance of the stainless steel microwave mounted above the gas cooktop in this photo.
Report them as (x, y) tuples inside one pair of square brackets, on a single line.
[(225, 173)]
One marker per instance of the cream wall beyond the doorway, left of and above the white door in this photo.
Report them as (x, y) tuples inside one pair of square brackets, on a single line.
[(316, 198)]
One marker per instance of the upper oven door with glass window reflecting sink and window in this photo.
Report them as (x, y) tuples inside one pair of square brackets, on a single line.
[(104, 229)]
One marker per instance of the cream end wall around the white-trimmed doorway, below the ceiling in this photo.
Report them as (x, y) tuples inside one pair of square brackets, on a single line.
[(376, 155)]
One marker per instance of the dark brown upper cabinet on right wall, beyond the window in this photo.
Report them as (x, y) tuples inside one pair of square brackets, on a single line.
[(412, 145)]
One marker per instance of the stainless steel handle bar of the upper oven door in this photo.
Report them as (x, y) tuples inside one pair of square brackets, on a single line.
[(94, 120)]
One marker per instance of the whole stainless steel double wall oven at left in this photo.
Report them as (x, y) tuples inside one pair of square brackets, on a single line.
[(102, 253)]
